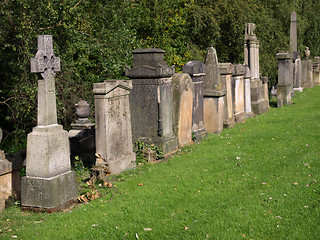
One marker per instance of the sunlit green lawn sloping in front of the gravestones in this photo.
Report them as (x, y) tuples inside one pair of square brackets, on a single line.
[(259, 180)]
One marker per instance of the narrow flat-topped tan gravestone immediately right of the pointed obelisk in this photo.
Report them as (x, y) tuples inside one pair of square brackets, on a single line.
[(226, 71)]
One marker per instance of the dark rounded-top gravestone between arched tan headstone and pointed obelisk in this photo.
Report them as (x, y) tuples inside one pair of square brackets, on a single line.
[(196, 69)]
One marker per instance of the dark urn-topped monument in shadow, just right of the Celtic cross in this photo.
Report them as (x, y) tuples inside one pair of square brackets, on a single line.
[(82, 133)]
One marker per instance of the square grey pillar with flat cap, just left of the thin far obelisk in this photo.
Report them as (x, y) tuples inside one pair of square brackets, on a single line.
[(285, 81)]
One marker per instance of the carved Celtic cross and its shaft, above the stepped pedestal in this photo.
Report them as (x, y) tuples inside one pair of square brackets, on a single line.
[(47, 64)]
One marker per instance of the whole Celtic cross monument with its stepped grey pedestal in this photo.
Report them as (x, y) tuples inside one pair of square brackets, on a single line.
[(49, 182)]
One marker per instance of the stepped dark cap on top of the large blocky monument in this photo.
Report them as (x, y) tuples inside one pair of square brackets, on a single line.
[(149, 63)]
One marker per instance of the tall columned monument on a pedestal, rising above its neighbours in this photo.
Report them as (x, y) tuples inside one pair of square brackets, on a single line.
[(259, 103)]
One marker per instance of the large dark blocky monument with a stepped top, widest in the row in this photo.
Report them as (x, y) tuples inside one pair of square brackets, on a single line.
[(151, 100)]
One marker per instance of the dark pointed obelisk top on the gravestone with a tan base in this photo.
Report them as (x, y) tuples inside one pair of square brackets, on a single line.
[(212, 84)]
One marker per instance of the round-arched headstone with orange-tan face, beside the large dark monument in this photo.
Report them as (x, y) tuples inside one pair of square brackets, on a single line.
[(182, 87)]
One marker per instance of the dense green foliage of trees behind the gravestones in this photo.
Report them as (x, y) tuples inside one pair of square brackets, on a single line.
[(94, 40)]
